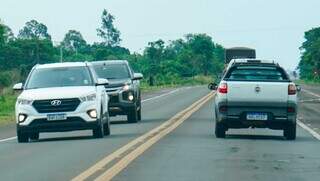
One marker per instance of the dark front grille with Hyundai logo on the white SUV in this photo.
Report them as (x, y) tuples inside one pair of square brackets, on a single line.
[(67, 105)]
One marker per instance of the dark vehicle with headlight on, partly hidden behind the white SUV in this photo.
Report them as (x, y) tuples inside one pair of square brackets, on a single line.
[(123, 89)]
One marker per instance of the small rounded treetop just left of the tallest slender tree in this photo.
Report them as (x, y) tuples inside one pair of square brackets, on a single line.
[(73, 41)]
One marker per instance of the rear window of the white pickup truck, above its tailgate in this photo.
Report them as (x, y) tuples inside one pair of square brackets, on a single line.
[(250, 73)]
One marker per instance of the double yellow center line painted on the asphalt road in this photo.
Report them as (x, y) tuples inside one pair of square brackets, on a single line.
[(114, 163)]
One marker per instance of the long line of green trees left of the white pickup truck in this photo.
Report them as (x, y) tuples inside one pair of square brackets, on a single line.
[(160, 62)]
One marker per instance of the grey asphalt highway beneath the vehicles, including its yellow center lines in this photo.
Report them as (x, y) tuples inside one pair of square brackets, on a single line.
[(174, 141)]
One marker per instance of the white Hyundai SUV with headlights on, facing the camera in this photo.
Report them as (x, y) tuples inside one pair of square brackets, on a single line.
[(62, 97)]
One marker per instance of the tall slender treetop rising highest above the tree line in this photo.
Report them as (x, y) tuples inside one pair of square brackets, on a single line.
[(108, 31)]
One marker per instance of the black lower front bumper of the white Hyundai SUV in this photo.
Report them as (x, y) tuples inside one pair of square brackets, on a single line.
[(71, 124)]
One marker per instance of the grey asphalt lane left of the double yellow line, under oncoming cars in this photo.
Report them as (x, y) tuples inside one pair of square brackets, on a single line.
[(62, 156)]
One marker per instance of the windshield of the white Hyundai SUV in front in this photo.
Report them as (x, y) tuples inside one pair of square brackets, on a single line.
[(59, 77)]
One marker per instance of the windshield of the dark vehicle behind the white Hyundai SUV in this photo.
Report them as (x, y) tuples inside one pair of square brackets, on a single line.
[(112, 71)]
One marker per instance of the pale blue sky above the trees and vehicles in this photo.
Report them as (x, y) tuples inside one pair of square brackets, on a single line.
[(275, 28)]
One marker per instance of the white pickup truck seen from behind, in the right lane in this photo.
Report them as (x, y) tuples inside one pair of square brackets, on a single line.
[(256, 94)]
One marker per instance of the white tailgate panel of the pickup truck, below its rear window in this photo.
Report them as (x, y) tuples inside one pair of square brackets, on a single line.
[(257, 92)]
